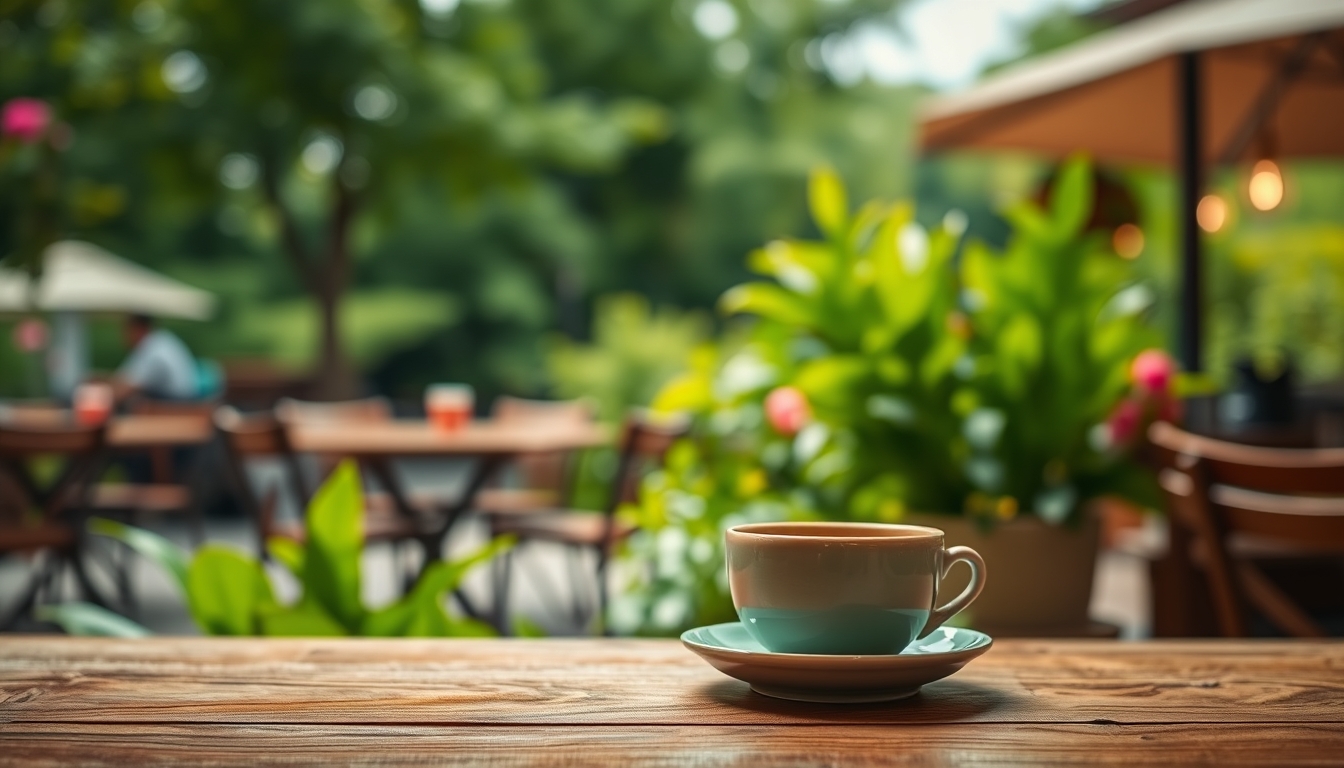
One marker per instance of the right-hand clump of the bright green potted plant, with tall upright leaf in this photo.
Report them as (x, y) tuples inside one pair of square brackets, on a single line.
[(1058, 323)]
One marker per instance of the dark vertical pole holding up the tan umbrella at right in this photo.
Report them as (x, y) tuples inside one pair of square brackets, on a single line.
[(1190, 155)]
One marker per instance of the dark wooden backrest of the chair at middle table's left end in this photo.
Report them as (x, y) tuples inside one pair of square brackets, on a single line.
[(259, 436)]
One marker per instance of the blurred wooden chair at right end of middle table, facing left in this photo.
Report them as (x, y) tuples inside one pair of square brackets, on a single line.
[(644, 442)]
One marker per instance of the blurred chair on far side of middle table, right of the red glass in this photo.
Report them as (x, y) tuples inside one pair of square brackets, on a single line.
[(544, 479)]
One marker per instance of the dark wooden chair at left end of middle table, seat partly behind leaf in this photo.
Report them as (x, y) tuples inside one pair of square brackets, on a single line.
[(263, 436)]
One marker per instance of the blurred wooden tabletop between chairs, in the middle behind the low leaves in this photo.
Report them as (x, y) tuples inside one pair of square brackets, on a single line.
[(417, 438)]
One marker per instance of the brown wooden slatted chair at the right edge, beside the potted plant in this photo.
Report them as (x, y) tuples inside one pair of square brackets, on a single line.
[(1237, 498)]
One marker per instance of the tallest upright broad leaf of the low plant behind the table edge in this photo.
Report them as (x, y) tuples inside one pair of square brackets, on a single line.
[(335, 544)]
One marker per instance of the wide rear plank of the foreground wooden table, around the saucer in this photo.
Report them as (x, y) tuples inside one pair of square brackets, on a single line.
[(642, 683)]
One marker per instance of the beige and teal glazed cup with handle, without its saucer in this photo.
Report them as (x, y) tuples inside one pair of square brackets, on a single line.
[(843, 588)]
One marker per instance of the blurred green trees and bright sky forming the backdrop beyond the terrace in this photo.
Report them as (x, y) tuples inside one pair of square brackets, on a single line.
[(460, 186)]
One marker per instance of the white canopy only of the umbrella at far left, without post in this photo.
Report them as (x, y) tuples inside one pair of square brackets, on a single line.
[(84, 278)]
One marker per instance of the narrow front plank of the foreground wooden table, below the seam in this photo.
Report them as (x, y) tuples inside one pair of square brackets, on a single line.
[(83, 744)]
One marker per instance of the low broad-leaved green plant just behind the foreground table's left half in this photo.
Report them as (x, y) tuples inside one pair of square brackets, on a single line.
[(229, 592)]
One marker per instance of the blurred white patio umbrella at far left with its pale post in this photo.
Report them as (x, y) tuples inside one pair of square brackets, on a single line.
[(79, 279)]
